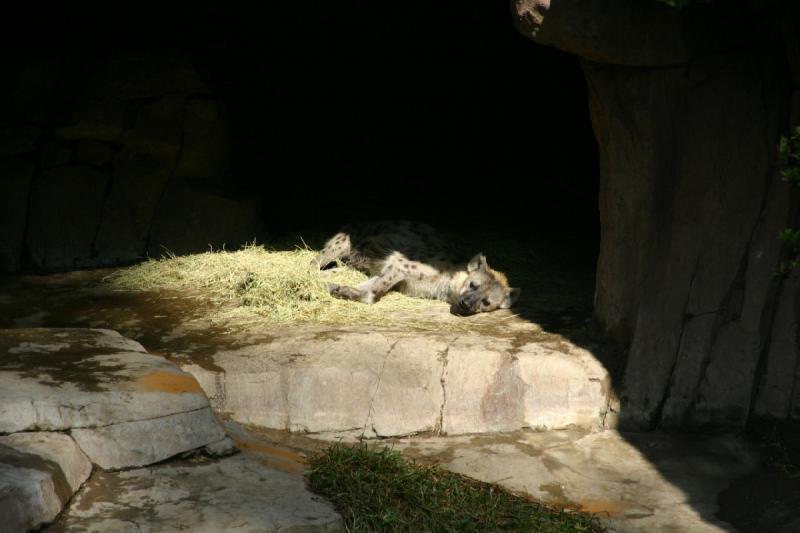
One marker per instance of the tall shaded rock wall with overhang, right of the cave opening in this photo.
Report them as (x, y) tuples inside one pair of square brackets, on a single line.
[(687, 107)]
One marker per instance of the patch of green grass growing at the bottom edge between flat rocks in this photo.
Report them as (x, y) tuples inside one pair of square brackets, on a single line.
[(380, 491)]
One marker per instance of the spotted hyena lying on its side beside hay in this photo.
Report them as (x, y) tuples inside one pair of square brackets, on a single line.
[(412, 258)]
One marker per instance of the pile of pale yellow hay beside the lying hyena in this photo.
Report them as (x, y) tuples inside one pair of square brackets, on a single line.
[(259, 286)]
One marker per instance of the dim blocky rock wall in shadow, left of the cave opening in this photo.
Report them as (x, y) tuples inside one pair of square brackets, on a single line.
[(106, 159)]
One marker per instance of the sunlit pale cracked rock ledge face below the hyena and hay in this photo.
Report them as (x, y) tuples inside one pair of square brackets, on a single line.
[(396, 383)]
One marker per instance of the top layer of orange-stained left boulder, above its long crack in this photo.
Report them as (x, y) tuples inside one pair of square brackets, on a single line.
[(59, 379)]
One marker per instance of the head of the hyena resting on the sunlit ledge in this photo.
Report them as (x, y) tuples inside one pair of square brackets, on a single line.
[(483, 290)]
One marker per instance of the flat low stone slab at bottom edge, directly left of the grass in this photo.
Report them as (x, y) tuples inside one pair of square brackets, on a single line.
[(237, 493)]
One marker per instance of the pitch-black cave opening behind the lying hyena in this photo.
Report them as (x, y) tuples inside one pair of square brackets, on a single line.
[(348, 111)]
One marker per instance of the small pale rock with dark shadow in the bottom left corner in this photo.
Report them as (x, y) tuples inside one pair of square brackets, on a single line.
[(39, 473)]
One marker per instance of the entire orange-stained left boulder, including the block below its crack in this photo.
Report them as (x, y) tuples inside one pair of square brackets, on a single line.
[(123, 406)]
